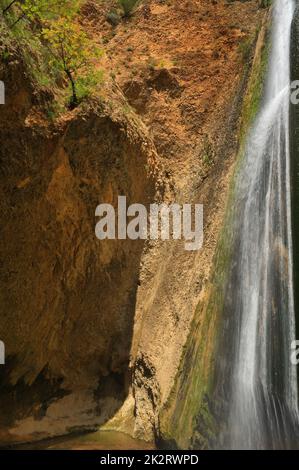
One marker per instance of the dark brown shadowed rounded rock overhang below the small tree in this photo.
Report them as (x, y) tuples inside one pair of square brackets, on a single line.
[(67, 300)]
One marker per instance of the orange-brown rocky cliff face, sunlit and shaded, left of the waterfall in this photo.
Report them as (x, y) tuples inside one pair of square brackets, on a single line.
[(96, 330)]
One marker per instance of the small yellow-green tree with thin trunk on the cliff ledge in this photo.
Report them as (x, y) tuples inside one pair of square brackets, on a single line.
[(72, 50)]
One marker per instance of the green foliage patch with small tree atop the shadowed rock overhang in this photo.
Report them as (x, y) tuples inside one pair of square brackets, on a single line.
[(56, 47)]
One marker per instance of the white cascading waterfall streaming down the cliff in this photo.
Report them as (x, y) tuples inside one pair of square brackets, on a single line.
[(260, 382)]
